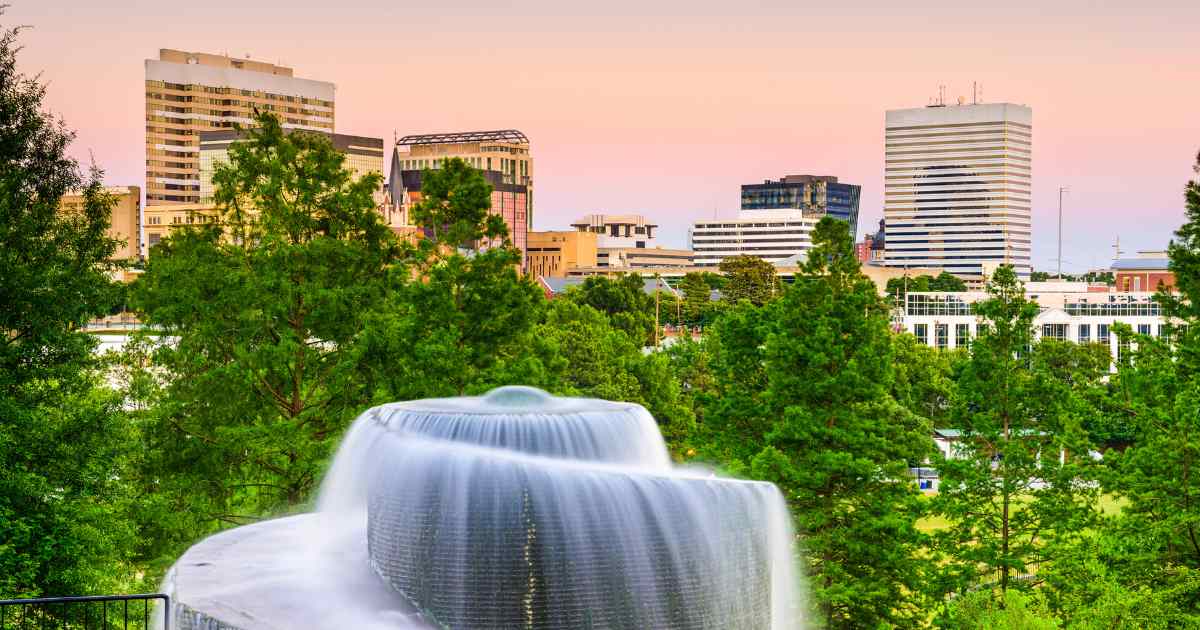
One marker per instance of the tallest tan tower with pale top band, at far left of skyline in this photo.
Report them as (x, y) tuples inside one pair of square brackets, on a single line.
[(194, 93)]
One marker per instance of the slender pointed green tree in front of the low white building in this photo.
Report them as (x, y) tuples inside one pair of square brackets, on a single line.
[(1006, 488)]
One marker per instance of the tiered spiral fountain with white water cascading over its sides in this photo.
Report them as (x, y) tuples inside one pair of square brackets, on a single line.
[(515, 509)]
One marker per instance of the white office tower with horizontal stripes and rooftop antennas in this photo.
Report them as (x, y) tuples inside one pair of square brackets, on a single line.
[(957, 188)]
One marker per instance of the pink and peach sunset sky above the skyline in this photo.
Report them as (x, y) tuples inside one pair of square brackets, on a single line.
[(665, 109)]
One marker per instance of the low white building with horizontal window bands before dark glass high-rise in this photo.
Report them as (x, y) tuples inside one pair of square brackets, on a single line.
[(770, 235)]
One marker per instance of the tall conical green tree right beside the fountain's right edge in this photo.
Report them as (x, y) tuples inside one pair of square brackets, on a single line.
[(839, 447)]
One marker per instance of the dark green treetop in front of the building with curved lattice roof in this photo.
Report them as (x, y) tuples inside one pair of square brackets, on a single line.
[(455, 206)]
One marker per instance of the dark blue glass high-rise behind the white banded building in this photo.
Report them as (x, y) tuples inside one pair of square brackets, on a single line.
[(813, 195)]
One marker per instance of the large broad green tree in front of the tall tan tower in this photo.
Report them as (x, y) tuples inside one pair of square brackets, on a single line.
[(266, 307)]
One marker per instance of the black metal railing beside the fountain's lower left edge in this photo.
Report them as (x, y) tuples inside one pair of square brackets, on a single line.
[(100, 613)]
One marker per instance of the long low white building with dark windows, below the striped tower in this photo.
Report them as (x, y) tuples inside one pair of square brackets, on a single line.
[(1070, 311)]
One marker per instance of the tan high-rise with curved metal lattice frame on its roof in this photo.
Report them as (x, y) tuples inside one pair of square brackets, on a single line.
[(502, 155)]
